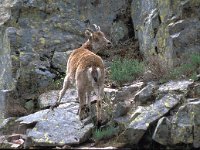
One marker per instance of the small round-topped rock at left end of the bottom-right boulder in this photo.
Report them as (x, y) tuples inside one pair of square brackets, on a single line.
[(162, 133)]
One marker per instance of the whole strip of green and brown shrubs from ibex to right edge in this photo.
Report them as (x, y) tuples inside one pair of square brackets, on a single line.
[(125, 70)]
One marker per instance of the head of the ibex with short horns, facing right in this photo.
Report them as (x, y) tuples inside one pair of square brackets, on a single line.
[(97, 39)]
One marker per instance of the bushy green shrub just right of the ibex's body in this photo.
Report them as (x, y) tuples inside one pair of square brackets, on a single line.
[(125, 70)]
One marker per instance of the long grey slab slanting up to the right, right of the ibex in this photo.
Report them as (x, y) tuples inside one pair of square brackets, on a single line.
[(137, 126)]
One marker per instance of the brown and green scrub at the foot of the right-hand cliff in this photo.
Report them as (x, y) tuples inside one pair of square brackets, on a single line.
[(188, 67)]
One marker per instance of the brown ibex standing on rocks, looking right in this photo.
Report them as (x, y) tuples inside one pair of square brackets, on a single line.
[(86, 69)]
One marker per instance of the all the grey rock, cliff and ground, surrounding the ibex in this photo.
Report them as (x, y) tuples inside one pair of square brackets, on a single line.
[(36, 38)]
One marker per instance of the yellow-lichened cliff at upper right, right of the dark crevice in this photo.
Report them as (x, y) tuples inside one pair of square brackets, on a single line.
[(165, 28)]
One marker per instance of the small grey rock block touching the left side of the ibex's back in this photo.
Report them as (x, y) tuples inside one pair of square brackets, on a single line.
[(59, 60)]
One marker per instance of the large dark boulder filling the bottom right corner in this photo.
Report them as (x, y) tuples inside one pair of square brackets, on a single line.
[(183, 127)]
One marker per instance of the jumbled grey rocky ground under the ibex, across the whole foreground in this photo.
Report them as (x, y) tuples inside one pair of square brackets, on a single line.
[(159, 115)]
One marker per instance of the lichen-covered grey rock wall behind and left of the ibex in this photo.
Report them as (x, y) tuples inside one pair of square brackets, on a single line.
[(41, 34)]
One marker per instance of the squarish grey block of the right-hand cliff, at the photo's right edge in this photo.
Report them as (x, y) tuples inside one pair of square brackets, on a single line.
[(183, 32)]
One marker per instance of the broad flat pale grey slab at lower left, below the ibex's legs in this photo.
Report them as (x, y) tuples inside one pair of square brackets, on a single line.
[(59, 127)]
